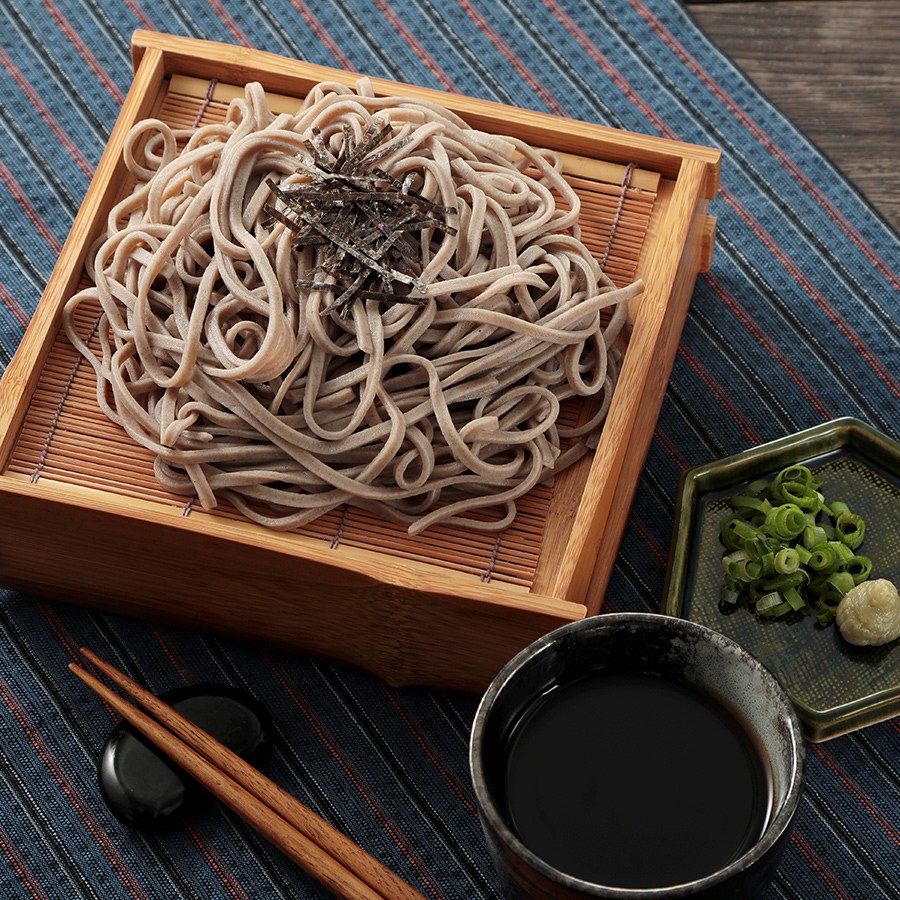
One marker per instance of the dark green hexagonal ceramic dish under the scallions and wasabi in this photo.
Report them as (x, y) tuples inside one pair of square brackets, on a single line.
[(836, 687)]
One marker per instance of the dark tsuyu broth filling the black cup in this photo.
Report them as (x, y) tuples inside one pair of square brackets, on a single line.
[(631, 780)]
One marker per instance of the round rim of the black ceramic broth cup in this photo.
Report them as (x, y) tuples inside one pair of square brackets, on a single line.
[(488, 808)]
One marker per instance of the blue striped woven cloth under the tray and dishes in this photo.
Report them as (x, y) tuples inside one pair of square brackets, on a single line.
[(796, 323)]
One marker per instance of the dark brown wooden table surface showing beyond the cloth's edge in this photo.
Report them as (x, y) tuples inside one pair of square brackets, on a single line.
[(831, 66)]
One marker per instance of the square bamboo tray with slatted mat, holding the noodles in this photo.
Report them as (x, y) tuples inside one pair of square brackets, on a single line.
[(82, 518)]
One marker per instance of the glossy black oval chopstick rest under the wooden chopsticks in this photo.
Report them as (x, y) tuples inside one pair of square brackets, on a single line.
[(143, 787)]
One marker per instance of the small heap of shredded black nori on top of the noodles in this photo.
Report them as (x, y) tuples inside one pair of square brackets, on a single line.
[(366, 225)]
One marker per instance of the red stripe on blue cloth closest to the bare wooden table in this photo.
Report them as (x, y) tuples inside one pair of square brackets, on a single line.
[(765, 139)]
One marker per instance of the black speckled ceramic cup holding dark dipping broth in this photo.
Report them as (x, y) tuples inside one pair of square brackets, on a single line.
[(633, 649)]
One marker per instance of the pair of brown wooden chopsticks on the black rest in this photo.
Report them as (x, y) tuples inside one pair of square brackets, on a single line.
[(328, 855)]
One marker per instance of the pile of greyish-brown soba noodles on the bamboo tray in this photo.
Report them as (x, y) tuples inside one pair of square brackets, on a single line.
[(217, 354)]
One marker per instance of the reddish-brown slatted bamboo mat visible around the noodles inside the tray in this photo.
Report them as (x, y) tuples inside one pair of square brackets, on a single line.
[(66, 439)]
